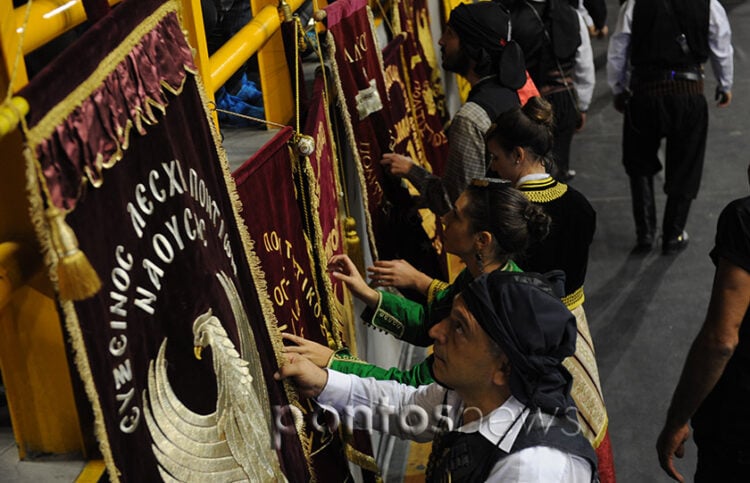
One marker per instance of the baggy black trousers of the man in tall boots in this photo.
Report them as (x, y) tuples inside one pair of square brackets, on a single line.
[(681, 119)]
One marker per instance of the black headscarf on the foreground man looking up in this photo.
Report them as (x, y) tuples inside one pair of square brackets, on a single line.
[(523, 315)]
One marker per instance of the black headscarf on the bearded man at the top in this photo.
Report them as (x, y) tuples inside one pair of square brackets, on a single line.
[(484, 30)]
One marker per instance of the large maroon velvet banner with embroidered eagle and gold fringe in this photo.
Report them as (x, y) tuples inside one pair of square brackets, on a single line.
[(134, 163)]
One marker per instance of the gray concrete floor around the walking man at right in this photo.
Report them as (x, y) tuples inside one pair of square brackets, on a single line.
[(644, 311)]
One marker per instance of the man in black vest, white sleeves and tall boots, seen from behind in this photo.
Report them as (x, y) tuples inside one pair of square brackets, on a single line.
[(666, 42)]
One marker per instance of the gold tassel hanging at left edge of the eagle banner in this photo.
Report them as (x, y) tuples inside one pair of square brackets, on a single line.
[(77, 279)]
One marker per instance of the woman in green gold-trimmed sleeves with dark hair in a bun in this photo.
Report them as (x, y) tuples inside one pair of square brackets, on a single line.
[(490, 224)]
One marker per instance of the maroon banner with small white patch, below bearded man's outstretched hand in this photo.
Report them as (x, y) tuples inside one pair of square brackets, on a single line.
[(393, 220)]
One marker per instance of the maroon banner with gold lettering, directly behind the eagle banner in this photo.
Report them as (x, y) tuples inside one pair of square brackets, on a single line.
[(265, 184)]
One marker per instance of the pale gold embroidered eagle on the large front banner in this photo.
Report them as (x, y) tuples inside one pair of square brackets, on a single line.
[(231, 444)]
